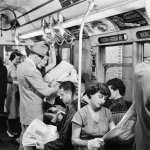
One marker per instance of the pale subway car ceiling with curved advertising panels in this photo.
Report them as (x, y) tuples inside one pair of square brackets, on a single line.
[(109, 21)]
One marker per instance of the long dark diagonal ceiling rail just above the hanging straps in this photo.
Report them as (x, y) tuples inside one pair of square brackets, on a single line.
[(51, 13)]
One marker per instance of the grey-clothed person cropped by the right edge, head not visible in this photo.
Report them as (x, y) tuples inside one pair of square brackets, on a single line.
[(142, 105)]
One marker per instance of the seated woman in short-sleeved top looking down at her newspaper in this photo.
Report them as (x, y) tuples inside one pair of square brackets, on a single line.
[(92, 121)]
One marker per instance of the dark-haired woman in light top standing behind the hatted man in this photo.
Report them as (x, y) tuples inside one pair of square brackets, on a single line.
[(12, 101)]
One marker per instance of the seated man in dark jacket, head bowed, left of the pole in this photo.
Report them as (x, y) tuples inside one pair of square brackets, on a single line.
[(67, 92)]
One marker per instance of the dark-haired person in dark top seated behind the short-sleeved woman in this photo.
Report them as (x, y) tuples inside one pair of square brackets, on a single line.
[(116, 103)]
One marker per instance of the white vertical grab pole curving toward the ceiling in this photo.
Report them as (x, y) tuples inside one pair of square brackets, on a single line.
[(91, 5)]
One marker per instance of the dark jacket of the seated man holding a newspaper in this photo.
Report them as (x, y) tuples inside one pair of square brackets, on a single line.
[(65, 132)]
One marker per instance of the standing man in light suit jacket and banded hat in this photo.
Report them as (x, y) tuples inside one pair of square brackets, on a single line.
[(31, 87)]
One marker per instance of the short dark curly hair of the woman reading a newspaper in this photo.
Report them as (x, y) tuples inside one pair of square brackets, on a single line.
[(99, 87)]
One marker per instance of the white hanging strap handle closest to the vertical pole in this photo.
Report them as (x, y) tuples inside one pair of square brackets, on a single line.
[(66, 34)]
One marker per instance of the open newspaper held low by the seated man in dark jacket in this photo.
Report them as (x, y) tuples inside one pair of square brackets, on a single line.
[(39, 132)]
